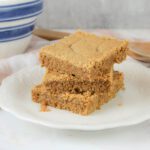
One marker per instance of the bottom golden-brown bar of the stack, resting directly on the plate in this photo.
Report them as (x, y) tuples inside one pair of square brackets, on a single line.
[(82, 104)]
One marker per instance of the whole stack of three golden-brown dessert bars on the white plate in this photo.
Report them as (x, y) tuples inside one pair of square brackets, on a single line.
[(79, 72)]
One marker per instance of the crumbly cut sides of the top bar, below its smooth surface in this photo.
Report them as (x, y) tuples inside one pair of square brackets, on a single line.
[(98, 69)]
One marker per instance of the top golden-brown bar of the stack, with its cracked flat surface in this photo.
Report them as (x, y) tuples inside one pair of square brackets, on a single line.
[(84, 55)]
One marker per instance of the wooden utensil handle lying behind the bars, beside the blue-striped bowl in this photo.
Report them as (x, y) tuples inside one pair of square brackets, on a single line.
[(49, 34)]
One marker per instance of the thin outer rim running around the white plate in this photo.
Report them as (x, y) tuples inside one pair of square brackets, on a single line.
[(132, 121)]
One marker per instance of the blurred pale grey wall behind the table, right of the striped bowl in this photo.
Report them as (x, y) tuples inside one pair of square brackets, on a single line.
[(116, 14)]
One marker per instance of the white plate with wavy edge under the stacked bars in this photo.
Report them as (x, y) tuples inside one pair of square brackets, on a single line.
[(15, 97)]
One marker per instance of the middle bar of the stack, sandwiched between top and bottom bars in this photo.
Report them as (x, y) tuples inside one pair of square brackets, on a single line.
[(57, 83)]
